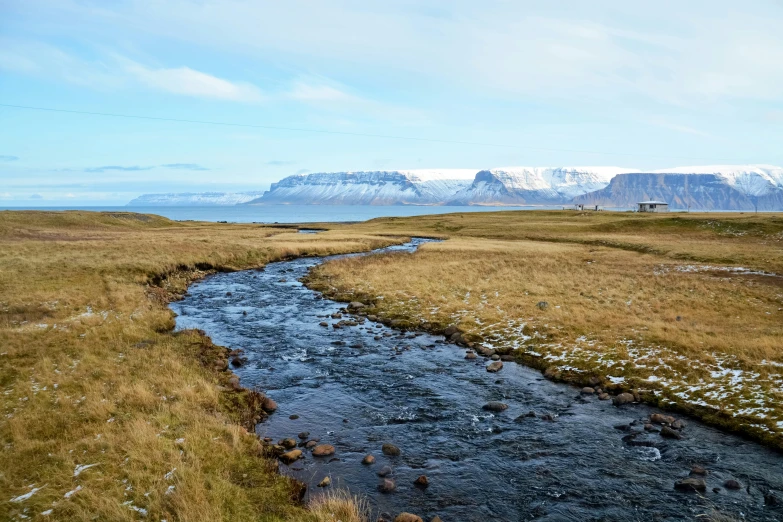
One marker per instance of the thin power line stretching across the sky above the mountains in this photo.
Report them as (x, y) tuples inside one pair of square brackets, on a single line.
[(345, 133)]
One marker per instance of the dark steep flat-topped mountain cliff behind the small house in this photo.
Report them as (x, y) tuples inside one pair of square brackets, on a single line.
[(682, 191)]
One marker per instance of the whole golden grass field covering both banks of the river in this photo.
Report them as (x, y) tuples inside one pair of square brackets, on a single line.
[(109, 415)]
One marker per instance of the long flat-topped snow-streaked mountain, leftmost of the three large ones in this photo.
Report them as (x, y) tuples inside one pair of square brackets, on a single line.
[(385, 187)]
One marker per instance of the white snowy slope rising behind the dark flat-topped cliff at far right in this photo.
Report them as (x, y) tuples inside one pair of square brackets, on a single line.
[(751, 180)]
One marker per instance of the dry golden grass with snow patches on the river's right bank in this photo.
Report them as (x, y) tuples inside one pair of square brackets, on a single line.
[(644, 299)]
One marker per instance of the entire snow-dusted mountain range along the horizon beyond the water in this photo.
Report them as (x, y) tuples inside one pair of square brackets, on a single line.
[(711, 187)]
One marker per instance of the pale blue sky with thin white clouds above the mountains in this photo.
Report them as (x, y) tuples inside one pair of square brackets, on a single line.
[(268, 89)]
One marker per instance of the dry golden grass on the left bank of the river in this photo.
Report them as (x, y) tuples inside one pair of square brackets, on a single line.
[(107, 413)]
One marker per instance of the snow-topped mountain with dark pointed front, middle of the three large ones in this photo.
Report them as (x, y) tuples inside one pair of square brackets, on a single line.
[(534, 185)]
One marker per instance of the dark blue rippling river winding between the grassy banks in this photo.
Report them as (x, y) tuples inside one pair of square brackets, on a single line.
[(359, 387)]
